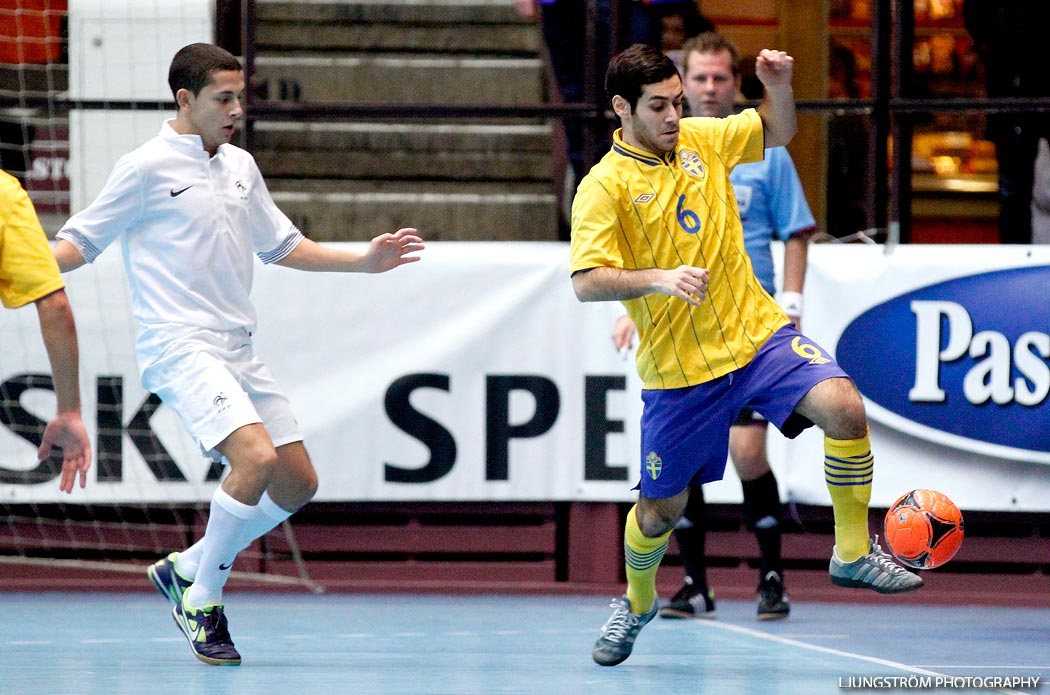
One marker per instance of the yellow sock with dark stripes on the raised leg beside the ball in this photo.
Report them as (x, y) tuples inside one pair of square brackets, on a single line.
[(848, 471)]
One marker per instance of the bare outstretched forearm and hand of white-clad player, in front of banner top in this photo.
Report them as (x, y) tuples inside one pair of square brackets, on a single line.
[(385, 252)]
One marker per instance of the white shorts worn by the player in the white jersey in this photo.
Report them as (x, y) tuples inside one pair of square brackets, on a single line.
[(216, 384)]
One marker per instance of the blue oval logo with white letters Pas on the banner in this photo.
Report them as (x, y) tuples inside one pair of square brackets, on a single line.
[(968, 357)]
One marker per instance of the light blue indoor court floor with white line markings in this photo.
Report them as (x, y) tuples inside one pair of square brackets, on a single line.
[(85, 644)]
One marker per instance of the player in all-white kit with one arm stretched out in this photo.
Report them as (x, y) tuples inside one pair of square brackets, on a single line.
[(191, 210)]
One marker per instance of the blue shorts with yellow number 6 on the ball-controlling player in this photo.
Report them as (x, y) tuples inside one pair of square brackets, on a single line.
[(685, 432)]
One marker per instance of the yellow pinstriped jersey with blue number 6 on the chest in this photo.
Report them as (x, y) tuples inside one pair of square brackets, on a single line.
[(638, 210)]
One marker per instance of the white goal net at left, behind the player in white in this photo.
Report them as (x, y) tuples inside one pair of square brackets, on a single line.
[(76, 93)]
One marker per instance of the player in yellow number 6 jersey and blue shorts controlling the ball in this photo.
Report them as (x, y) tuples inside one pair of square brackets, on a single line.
[(656, 225)]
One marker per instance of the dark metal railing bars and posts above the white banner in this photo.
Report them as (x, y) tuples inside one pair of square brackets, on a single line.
[(892, 114)]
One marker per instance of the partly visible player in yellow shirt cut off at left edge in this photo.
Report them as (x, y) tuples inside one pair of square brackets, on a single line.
[(29, 275)]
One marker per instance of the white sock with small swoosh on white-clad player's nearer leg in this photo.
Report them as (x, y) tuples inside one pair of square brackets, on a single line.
[(220, 546)]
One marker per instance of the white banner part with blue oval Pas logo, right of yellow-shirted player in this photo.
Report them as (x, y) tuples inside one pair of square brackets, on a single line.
[(950, 347)]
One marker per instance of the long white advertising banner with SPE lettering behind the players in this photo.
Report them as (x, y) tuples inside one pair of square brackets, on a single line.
[(476, 375)]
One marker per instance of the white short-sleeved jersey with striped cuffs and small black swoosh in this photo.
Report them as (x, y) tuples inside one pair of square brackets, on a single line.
[(190, 224)]
